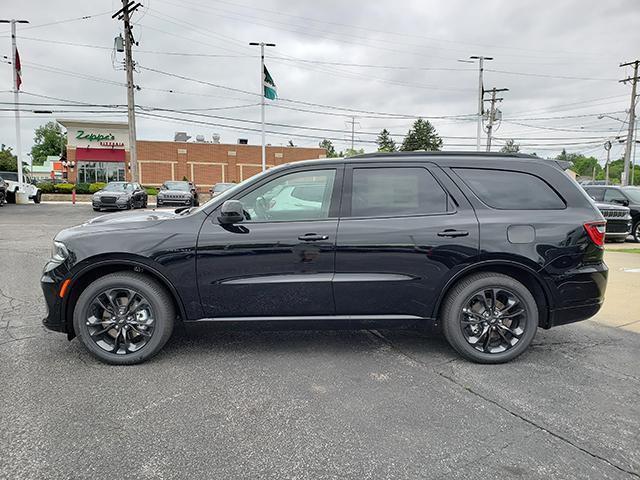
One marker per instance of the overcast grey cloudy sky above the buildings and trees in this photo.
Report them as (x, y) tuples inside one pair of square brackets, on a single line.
[(380, 64)]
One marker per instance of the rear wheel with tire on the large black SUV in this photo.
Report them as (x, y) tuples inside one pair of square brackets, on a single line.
[(458, 326)]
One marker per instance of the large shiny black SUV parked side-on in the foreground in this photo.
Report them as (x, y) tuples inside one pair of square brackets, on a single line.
[(488, 246)]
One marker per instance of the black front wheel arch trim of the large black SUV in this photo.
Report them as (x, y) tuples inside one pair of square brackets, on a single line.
[(99, 268)]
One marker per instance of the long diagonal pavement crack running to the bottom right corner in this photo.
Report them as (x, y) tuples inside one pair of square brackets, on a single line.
[(497, 404)]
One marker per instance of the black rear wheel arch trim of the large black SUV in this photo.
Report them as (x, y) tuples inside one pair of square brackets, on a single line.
[(524, 274)]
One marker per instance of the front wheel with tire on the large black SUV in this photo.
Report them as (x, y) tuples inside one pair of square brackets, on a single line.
[(160, 309)]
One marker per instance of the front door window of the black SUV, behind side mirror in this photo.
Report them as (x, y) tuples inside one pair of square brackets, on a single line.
[(276, 200)]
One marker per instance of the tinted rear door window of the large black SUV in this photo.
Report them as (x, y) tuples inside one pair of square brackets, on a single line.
[(396, 191)]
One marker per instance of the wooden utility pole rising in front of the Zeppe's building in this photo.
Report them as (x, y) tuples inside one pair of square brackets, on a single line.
[(124, 14)]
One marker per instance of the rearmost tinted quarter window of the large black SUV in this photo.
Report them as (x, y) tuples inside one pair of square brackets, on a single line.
[(510, 190)]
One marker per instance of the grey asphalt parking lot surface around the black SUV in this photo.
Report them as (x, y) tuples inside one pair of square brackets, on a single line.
[(303, 404)]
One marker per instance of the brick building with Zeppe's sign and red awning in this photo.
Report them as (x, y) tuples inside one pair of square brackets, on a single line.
[(99, 152)]
